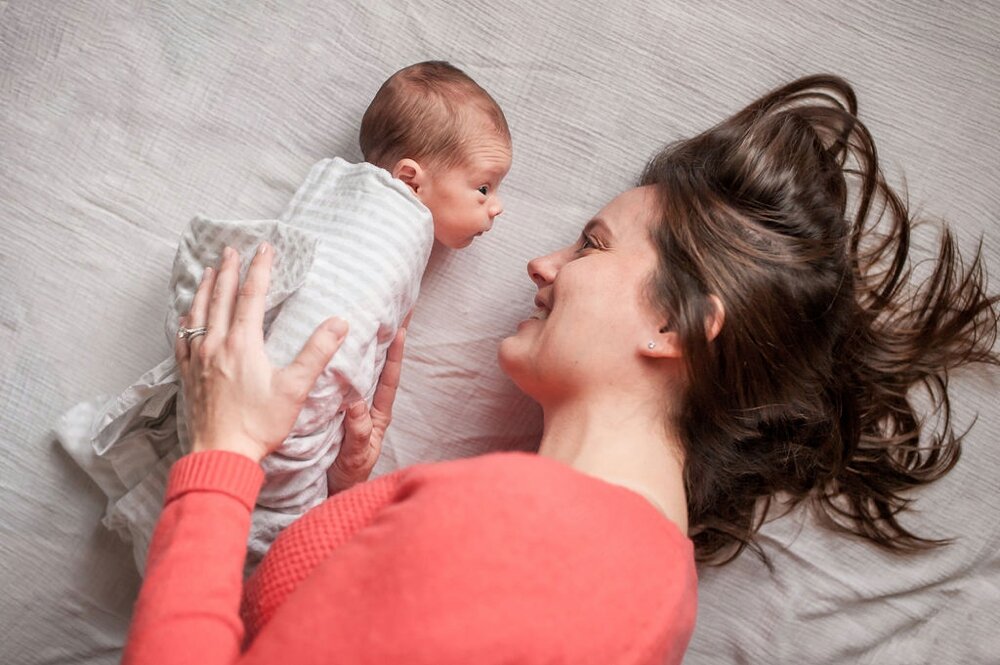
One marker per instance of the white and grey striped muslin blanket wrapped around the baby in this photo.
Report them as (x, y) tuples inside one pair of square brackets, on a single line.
[(352, 243)]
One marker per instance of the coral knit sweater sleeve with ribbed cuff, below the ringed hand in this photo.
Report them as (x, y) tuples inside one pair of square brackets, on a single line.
[(188, 607)]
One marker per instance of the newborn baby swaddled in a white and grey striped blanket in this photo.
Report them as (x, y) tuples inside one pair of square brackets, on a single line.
[(353, 243)]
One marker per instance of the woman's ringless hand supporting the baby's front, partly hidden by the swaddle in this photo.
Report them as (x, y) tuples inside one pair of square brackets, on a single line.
[(364, 429)]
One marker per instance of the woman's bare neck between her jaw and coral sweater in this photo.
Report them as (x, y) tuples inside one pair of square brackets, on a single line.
[(622, 442)]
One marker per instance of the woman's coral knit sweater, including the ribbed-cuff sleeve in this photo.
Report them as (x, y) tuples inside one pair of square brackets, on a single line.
[(505, 558)]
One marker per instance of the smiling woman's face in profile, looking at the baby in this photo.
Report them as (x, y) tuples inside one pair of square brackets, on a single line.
[(594, 319)]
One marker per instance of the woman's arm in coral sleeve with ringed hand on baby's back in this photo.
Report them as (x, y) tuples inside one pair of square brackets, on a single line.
[(240, 408)]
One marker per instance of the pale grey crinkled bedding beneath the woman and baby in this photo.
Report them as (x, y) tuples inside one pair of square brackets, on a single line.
[(120, 121)]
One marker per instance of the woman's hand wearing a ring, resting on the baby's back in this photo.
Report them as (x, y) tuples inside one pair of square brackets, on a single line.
[(235, 399)]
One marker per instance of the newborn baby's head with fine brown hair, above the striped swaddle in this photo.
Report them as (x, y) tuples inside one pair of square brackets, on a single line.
[(435, 129)]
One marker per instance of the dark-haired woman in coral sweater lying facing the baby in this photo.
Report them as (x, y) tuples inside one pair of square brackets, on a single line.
[(729, 330)]
